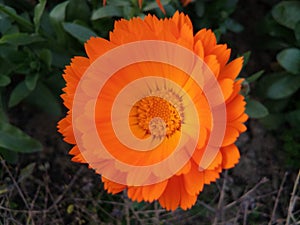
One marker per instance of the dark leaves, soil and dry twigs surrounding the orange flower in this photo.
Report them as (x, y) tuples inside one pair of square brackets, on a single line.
[(40, 185)]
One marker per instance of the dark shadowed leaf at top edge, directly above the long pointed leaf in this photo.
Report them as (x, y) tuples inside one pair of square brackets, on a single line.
[(78, 10)]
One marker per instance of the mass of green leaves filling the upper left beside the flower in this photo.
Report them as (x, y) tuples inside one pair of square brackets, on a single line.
[(36, 42)]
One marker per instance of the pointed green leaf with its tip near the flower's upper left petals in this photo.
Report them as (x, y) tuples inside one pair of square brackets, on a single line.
[(79, 32)]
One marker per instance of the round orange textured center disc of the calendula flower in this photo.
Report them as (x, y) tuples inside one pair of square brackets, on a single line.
[(157, 116)]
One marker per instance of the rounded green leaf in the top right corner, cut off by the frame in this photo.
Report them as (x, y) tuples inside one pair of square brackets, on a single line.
[(287, 13)]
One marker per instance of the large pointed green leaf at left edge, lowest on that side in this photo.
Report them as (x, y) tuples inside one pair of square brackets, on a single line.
[(14, 139)]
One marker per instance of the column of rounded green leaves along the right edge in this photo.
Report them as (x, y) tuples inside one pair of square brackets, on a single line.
[(280, 89)]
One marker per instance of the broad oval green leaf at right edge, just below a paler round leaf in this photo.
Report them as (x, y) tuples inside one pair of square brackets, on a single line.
[(282, 86)]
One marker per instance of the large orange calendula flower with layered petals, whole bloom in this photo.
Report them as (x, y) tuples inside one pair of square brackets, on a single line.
[(155, 109)]
